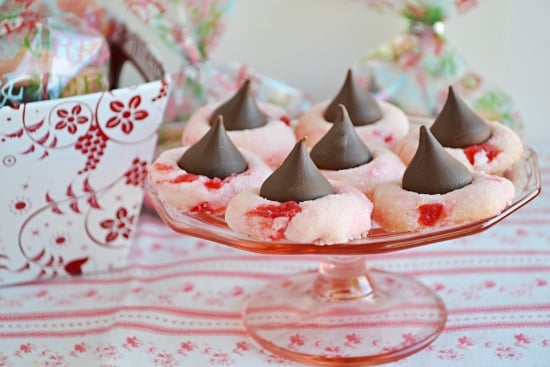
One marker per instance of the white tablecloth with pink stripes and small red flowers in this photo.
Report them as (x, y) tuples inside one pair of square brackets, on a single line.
[(178, 301)]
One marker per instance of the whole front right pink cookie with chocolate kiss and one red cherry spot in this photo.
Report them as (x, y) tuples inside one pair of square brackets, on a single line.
[(437, 190)]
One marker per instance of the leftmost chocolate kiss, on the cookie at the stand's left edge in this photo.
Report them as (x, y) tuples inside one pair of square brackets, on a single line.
[(214, 155)]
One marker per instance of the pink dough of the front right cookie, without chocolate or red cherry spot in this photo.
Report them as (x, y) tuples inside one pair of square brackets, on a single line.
[(396, 209)]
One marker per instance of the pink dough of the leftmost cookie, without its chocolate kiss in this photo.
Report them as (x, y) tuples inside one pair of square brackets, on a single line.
[(186, 195)]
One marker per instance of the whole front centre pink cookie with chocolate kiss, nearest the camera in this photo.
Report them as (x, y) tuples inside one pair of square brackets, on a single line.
[(297, 203)]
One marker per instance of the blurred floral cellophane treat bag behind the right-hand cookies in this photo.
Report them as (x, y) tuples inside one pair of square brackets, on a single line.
[(415, 68)]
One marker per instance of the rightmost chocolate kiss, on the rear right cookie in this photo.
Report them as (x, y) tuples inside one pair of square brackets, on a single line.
[(457, 126)]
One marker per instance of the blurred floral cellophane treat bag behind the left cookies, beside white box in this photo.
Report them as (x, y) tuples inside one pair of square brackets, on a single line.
[(191, 29)]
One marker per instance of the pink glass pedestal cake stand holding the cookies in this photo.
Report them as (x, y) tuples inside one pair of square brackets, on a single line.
[(345, 313)]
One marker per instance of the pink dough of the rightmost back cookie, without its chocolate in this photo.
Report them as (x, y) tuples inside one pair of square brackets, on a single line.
[(503, 138)]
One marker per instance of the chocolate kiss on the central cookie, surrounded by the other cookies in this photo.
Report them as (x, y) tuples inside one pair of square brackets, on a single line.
[(341, 147)]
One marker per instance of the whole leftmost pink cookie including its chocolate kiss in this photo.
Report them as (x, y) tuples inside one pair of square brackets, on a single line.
[(202, 178)]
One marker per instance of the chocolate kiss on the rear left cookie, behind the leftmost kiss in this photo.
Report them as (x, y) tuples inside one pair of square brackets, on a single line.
[(241, 111)]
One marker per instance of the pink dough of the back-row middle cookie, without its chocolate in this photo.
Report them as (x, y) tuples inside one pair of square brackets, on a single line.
[(384, 133)]
